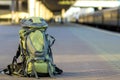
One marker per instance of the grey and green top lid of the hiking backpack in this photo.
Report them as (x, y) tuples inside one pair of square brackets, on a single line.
[(34, 22)]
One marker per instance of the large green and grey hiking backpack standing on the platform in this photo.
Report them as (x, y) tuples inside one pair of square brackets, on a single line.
[(34, 51)]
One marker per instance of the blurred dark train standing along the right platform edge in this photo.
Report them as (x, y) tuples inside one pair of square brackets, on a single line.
[(107, 19)]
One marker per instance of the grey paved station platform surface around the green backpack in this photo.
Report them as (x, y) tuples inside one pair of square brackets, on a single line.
[(84, 53)]
